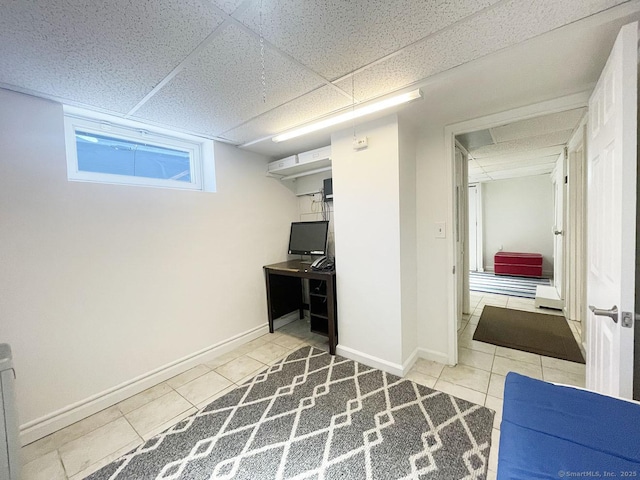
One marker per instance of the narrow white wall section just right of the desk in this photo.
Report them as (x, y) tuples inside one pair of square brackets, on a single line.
[(367, 243)]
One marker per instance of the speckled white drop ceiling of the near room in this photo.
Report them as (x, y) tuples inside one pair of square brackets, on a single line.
[(244, 71)]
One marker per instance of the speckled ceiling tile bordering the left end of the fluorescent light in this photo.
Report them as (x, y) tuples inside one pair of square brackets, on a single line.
[(303, 109)]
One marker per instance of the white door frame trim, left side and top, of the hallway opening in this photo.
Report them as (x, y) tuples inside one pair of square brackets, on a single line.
[(569, 102)]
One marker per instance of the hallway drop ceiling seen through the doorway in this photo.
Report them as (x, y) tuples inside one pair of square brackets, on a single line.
[(518, 149)]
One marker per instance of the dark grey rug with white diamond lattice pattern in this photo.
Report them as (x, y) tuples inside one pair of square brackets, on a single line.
[(318, 416)]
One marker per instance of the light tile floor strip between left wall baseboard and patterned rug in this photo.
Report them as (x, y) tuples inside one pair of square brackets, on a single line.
[(84, 447)]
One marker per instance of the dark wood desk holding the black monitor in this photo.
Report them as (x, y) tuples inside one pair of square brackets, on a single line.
[(284, 295)]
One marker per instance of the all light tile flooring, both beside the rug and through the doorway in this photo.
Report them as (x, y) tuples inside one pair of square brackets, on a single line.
[(84, 447)]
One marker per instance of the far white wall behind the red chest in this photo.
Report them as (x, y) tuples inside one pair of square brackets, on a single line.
[(518, 217)]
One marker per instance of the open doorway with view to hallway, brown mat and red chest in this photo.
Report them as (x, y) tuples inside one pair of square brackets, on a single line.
[(509, 155)]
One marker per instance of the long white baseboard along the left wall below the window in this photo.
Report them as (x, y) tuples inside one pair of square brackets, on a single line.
[(43, 426)]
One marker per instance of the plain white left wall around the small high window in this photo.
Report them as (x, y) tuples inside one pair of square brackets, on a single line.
[(102, 284)]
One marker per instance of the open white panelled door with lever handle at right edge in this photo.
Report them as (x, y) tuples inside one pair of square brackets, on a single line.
[(611, 194)]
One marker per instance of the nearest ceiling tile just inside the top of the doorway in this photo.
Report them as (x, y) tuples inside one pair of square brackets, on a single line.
[(553, 122)]
